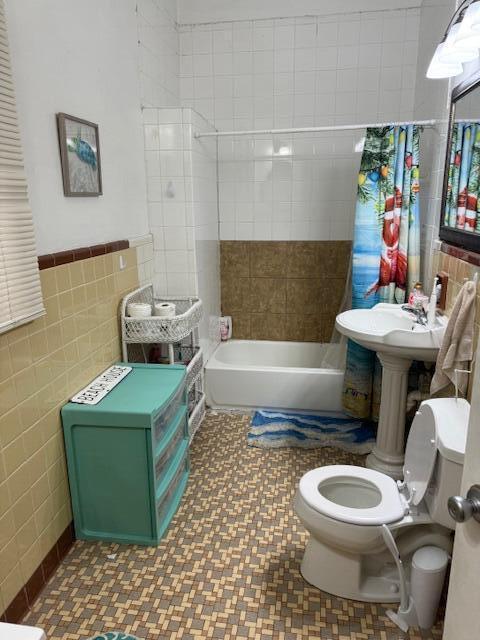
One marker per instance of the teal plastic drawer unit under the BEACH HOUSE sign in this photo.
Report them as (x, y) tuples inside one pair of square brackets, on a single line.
[(127, 456)]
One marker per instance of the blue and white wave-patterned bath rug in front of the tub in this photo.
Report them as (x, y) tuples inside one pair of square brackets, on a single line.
[(274, 429)]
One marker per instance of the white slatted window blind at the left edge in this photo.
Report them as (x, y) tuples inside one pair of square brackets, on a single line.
[(20, 290)]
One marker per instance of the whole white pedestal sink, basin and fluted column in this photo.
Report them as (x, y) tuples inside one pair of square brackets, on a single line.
[(398, 340)]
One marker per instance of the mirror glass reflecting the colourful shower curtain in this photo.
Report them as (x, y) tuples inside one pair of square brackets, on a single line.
[(462, 210)]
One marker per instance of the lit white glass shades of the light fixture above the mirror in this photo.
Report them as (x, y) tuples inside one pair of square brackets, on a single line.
[(460, 44)]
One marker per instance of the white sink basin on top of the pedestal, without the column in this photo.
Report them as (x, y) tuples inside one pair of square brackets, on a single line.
[(387, 328)]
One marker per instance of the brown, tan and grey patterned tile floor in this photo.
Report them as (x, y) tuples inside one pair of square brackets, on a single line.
[(227, 568)]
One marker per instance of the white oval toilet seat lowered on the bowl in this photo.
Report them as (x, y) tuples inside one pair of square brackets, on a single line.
[(389, 505)]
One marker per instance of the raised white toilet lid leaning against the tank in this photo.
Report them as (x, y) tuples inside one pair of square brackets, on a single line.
[(420, 453)]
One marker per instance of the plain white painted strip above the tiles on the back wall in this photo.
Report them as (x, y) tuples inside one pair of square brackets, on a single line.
[(191, 11)]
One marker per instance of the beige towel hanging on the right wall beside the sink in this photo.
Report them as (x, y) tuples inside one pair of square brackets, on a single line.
[(457, 345)]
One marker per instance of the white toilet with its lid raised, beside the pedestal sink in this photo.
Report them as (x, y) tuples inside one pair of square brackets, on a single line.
[(344, 507)]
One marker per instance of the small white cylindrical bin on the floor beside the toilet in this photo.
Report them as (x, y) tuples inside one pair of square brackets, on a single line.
[(429, 565)]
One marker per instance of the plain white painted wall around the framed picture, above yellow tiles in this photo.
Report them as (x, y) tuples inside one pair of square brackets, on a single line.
[(80, 58)]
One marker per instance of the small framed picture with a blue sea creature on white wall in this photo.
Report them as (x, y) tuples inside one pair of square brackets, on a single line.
[(80, 156)]
